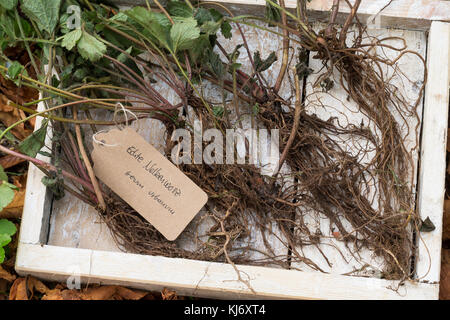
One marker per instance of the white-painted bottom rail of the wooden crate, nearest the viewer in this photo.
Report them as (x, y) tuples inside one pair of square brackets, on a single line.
[(205, 279)]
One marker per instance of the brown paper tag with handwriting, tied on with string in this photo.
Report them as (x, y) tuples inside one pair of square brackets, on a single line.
[(147, 181)]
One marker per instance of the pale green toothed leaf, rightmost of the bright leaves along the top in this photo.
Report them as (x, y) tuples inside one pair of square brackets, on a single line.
[(183, 34)]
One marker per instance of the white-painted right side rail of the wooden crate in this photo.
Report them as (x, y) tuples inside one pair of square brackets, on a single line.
[(433, 152)]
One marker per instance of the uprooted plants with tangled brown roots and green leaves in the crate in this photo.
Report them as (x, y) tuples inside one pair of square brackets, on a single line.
[(179, 46)]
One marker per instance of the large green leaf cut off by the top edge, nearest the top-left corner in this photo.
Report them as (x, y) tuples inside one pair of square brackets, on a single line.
[(44, 12)]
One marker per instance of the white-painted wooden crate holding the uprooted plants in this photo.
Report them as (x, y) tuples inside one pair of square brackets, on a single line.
[(41, 255)]
